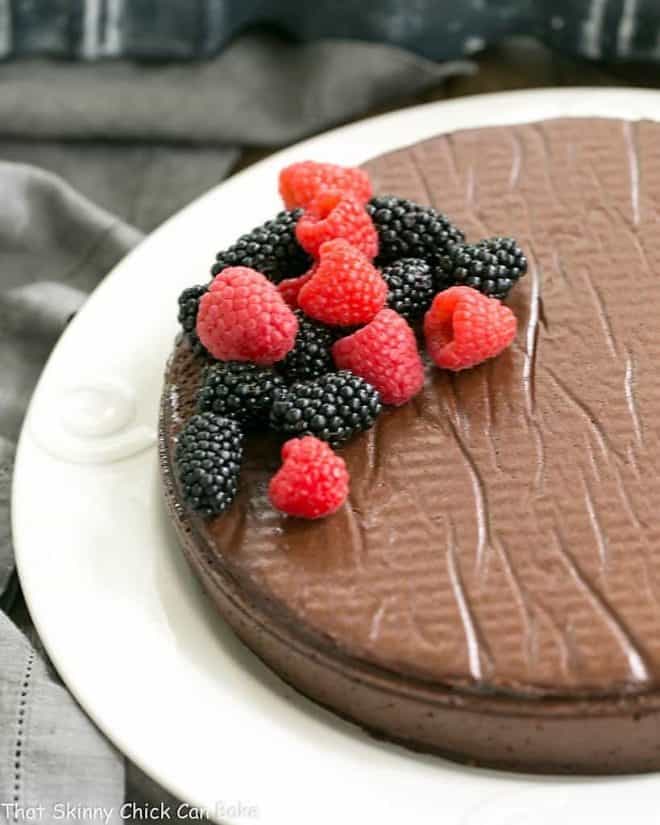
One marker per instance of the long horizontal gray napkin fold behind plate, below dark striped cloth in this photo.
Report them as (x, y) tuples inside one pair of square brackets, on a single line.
[(261, 91)]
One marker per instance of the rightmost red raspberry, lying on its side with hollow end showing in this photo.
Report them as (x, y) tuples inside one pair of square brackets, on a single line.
[(464, 328)]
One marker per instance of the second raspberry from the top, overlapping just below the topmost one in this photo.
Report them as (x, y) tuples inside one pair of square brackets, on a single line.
[(332, 215)]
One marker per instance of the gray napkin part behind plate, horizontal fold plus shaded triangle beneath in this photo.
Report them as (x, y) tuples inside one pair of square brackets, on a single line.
[(142, 141)]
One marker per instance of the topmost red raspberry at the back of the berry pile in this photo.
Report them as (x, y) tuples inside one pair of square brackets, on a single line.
[(301, 182)]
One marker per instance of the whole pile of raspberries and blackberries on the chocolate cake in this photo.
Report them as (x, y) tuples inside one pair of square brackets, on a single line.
[(308, 318)]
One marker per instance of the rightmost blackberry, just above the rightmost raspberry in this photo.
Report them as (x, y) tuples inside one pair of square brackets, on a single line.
[(492, 266)]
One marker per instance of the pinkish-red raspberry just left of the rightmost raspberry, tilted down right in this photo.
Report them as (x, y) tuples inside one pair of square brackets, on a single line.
[(385, 354)]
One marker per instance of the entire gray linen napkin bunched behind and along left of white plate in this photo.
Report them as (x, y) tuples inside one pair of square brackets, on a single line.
[(161, 135)]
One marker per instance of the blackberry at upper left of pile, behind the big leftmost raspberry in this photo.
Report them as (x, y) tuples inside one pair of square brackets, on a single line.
[(271, 249)]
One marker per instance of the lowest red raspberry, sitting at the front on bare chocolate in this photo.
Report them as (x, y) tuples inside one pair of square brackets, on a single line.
[(312, 482)]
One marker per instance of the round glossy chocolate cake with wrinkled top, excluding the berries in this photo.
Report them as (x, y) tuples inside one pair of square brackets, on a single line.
[(491, 591)]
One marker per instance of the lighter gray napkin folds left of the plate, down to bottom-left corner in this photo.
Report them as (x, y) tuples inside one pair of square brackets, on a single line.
[(54, 247)]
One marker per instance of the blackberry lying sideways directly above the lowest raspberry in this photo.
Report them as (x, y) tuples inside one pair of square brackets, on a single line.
[(332, 407)]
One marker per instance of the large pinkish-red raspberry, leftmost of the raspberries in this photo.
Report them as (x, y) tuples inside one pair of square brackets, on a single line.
[(243, 317)]
